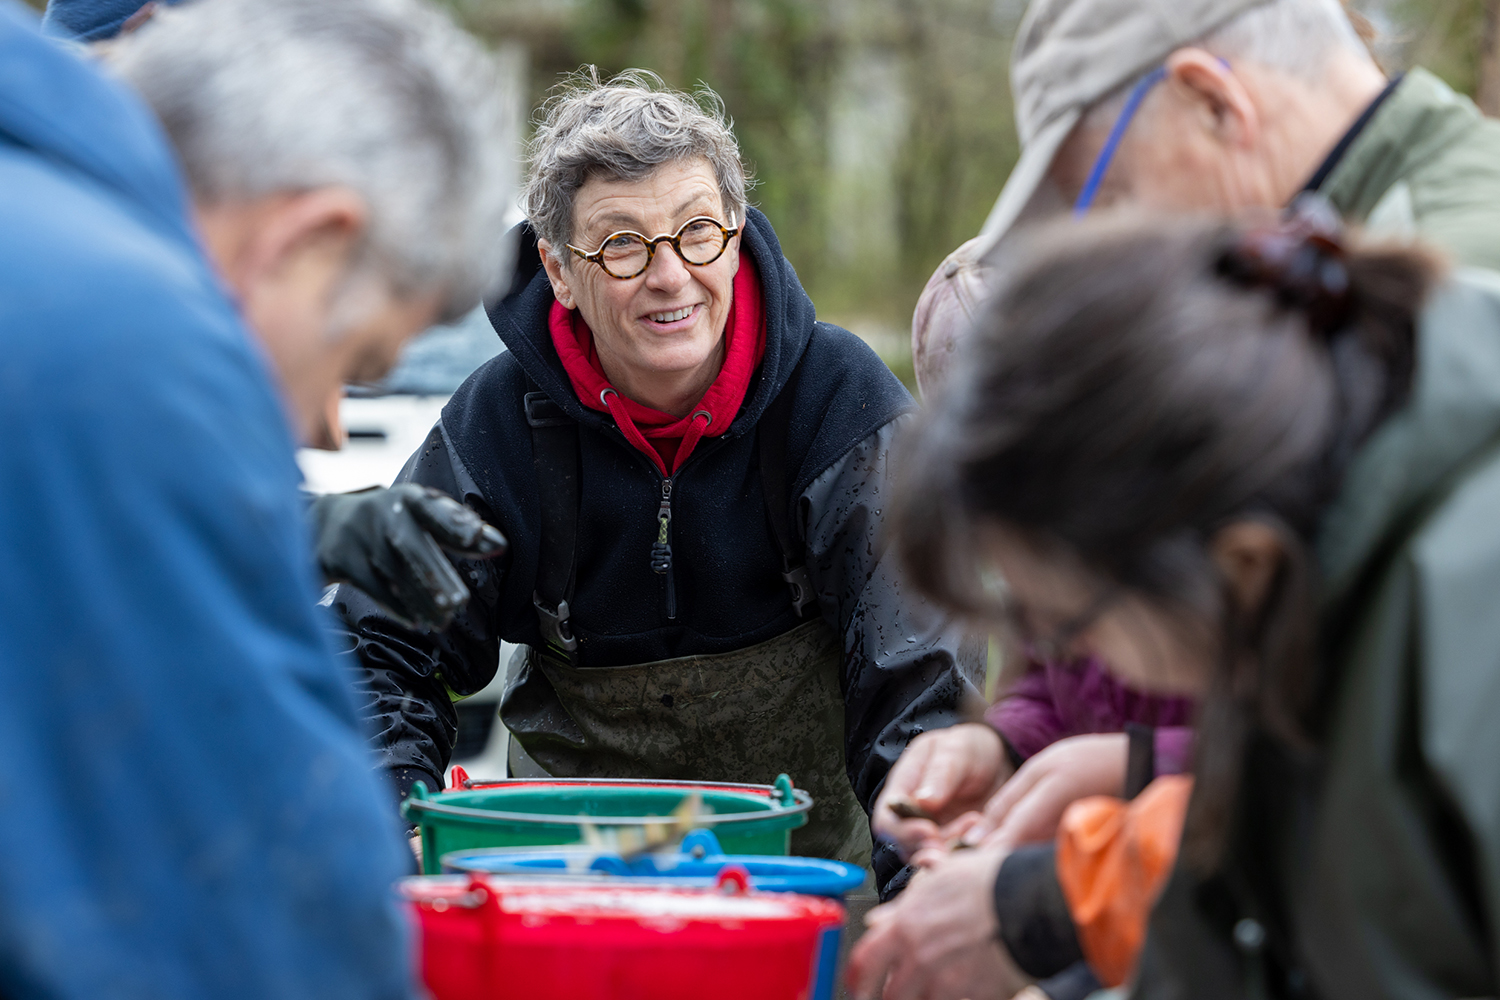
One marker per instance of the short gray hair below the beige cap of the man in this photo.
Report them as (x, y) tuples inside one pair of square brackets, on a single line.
[(1294, 37)]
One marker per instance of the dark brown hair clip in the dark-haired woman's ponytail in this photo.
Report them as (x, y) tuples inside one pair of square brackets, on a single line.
[(1301, 262)]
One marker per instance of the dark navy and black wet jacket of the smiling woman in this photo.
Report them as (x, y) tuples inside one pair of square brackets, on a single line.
[(901, 671)]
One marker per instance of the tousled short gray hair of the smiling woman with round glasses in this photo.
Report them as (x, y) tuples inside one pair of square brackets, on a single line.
[(625, 130)]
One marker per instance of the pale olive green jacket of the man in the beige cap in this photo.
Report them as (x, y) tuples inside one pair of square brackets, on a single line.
[(1427, 164)]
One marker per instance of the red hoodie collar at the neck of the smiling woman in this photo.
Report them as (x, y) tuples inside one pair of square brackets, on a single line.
[(664, 439)]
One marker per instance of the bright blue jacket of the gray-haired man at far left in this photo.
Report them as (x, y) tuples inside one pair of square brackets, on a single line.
[(190, 807)]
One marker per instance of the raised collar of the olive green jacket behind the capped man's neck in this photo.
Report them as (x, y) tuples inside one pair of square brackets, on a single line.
[(1415, 124)]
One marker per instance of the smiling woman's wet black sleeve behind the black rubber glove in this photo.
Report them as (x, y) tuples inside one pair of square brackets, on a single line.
[(407, 678)]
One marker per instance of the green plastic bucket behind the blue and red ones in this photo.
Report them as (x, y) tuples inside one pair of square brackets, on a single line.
[(749, 819)]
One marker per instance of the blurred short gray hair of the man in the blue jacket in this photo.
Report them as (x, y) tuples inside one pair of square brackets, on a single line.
[(385, 97)]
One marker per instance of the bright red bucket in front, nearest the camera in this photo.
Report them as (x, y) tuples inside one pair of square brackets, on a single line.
[(491, 938)]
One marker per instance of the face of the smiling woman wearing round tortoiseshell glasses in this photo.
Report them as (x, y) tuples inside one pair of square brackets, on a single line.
[(671, 319)]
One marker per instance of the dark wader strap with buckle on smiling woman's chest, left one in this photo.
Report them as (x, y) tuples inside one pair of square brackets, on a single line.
[(554, 452)]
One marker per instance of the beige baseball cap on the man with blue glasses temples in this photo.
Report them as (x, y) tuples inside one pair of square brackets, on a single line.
[(1073, 53)]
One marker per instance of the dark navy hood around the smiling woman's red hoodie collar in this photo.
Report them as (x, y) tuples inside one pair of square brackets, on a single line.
[(521, 320)]
